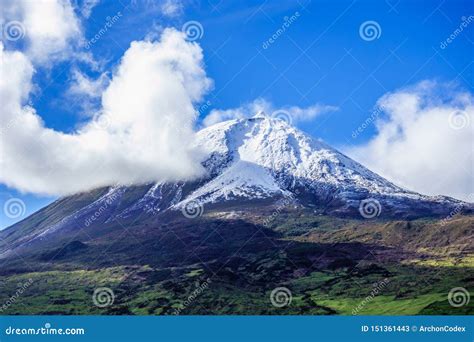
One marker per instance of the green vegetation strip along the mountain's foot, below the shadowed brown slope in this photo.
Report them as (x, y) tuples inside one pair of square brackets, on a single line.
[(403, 290)]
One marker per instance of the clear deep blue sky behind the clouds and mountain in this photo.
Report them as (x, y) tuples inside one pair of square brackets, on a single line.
[(321, 58)]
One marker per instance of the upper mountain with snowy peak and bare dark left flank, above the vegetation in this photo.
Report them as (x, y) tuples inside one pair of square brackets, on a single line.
[(257, 160)]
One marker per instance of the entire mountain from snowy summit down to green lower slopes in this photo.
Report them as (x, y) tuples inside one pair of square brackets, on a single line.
[(275, 207)]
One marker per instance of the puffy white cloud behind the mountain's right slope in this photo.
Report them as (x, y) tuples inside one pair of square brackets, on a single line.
[(425, 141)]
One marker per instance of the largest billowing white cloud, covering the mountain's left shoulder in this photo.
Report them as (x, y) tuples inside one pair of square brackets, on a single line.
[(142, 132)]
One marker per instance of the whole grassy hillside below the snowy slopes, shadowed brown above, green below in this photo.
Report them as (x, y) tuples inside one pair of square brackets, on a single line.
[(218, 264)]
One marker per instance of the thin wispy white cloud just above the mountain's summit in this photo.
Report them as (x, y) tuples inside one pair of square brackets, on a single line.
[(294, 113)]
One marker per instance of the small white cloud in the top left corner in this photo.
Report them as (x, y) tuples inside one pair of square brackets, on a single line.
[(50, 27)]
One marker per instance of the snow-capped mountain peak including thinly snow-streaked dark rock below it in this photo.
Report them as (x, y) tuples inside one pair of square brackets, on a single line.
[(262, 157)]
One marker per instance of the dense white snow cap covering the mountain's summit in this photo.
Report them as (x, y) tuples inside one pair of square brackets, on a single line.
[(263, 156)]
